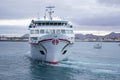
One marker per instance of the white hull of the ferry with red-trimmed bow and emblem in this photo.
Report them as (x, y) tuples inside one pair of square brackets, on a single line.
[(51, 49)]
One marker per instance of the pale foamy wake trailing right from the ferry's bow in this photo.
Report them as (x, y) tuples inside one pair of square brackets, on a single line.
[(94, 67)]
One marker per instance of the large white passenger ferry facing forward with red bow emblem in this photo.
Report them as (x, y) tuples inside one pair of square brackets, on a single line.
[(51, 39)]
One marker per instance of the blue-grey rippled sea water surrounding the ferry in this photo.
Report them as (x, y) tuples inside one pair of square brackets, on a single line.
[(85, 63)]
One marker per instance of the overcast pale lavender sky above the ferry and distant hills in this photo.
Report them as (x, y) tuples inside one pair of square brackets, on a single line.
[(87, 16)]
